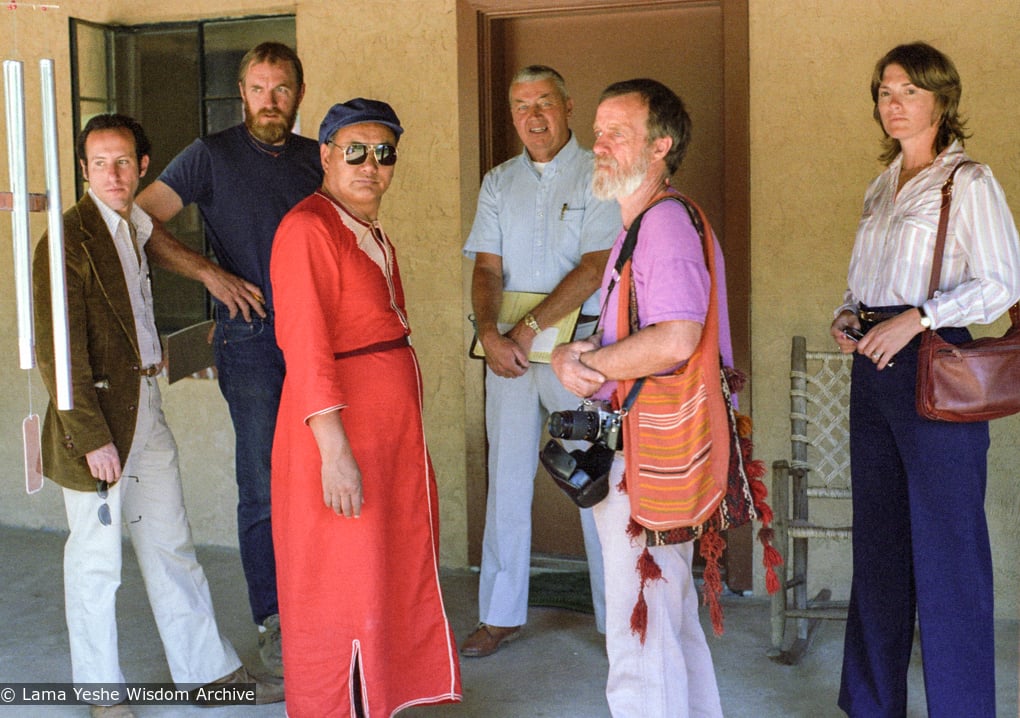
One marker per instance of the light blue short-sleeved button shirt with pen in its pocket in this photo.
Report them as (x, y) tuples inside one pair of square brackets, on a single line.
[(542, 224)]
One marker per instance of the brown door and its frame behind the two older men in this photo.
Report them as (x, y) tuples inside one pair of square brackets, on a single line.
[(699, 49)]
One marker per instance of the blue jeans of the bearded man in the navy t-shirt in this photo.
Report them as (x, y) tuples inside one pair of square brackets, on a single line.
[(251, 378)]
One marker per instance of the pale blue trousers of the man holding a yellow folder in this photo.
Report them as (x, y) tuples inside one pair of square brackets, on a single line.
[(517, 411)]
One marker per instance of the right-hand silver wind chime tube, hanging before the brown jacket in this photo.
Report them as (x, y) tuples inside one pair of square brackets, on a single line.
[(59, 280)]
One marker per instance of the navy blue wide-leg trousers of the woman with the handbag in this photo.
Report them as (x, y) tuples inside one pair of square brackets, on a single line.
[(921, 549)]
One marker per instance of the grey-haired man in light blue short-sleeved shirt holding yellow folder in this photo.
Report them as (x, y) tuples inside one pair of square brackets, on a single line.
[(538, 229)]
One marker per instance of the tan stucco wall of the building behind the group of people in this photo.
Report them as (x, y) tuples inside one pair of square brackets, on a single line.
[(813, 151)]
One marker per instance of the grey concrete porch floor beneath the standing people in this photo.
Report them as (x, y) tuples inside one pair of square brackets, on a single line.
[(557, 670)]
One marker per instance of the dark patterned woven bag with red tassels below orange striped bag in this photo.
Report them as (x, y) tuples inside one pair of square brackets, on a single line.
[(743, 503)]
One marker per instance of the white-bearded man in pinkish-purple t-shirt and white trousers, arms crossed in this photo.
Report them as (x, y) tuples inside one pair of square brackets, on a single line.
[(642, 134)]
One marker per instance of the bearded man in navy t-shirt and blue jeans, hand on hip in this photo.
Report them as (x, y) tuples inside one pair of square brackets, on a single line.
[(244, 180)]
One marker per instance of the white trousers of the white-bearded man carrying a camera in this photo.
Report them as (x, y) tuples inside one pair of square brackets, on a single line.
[(672, 675)]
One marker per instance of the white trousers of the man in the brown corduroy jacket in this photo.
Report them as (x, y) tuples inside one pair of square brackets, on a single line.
[(149, 500)]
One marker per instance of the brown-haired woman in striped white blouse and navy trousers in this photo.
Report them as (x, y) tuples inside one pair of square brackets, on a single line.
[(921, 537)]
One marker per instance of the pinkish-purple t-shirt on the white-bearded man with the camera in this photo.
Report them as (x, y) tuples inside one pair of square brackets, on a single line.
[(671, 279)]
